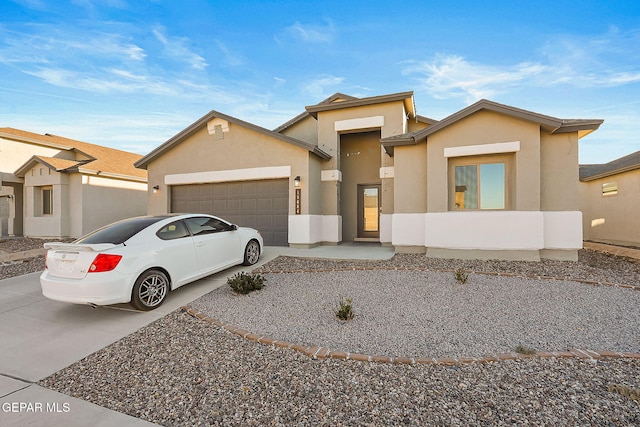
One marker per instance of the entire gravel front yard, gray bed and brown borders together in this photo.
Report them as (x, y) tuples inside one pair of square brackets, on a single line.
[(184, 371)]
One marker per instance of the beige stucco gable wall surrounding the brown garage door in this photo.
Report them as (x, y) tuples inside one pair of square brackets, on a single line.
[(240, 148)]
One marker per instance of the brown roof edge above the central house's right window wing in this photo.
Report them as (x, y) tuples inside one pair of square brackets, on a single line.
[(550, 124)]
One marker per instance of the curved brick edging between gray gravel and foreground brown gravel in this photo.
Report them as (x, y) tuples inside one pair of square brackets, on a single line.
[(317, 352)]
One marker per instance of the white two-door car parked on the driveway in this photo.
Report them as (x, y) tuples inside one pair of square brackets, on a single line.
[(139, 260)]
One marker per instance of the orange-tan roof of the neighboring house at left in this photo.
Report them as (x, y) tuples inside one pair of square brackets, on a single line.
[(90, 158)]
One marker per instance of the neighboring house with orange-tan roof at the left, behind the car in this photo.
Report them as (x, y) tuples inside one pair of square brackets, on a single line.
[(58, 187)]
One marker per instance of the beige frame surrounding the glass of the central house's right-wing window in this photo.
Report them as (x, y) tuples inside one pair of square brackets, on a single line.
[(506, 159)]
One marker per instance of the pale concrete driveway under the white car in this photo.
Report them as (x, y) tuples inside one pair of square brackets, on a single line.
[(40, 337)]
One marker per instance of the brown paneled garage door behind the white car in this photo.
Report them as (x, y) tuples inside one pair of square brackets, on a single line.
[(263, 205)]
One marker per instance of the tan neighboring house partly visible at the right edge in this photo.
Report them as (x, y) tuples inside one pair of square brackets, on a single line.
[(610, 201)]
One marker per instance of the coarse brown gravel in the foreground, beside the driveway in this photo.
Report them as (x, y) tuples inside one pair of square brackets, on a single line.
[(181, 371)]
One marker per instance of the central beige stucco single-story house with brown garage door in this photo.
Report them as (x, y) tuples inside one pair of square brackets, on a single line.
[(490, 181)]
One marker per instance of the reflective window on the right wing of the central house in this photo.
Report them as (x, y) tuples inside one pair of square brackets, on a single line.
[(479, 184)]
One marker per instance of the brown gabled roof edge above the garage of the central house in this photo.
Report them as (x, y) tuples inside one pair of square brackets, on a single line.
[(202, 122)]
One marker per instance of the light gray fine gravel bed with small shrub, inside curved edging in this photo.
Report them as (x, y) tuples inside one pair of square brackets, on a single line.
[(430, 314)]
